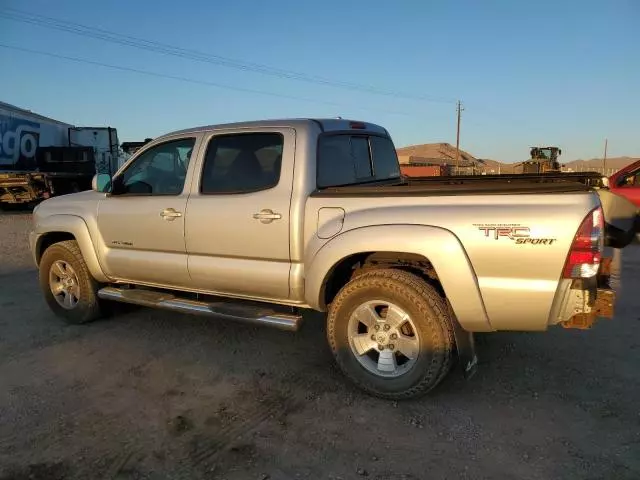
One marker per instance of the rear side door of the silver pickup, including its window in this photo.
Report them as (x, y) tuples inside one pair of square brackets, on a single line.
[(237, 225)]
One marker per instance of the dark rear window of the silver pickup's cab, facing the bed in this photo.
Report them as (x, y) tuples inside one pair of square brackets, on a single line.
[(351, 159)]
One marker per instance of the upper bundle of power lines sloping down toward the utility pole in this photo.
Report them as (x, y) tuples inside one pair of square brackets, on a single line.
[(167, 49)]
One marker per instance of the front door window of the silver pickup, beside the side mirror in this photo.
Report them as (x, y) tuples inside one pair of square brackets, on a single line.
[(161, 170)]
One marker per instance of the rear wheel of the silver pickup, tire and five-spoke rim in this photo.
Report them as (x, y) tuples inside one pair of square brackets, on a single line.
[(426, 334)]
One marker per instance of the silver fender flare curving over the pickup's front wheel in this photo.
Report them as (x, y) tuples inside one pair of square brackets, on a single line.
[(77, 227)]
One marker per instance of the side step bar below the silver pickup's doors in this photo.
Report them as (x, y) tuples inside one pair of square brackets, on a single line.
[(229, 310)]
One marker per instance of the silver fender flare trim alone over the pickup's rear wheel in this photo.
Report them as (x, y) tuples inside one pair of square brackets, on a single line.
[(440, 246)]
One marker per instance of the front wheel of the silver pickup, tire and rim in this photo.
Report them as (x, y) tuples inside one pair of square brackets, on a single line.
[(83, 287)]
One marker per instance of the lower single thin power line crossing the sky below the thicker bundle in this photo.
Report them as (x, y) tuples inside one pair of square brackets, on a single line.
[(193, 80)]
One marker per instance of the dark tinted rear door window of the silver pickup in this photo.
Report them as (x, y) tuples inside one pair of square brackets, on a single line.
[(242, 163)]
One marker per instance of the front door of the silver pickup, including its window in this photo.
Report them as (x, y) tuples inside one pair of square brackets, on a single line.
[(142, 221)]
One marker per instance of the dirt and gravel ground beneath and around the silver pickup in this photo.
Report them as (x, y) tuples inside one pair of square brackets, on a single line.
[(156, 395)]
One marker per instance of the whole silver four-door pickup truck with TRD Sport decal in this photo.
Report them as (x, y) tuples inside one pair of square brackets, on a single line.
[(259, 221)]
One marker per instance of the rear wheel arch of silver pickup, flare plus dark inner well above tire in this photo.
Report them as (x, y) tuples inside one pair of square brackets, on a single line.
[(435, 252)]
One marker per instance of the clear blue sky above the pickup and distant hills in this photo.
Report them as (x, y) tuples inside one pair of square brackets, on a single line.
[(563, 73)]
